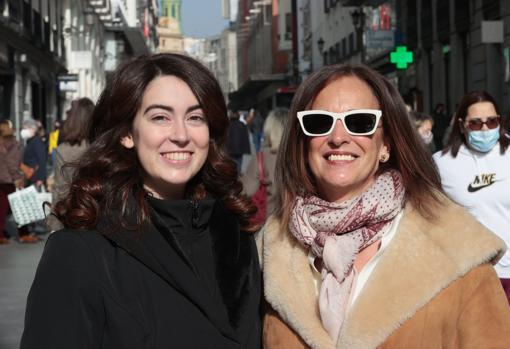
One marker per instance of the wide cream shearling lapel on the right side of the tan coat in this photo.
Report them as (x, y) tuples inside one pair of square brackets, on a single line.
[(422, 259)]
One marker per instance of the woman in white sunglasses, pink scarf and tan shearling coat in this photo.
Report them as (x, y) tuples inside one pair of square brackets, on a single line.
[(365, 250)]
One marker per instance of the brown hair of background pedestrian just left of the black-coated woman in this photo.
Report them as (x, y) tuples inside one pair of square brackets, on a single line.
[(76, 126)]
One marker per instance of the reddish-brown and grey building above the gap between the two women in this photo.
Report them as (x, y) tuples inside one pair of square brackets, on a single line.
[(267, 74)]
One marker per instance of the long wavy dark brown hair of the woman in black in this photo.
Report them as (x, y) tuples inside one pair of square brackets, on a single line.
[(108, 185)]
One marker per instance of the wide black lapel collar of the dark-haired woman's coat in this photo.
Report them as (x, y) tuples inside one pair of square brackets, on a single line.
[(237, 270)]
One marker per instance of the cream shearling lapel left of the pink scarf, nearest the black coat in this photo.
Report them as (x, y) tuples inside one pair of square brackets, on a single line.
[(289, 287)]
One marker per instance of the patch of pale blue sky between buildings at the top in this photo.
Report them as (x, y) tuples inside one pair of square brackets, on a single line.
[(202, 18)]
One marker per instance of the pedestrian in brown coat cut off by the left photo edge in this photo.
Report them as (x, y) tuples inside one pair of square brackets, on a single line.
[(10, 174)]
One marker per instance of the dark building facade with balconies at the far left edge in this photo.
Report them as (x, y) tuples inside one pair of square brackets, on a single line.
[(32, 55)]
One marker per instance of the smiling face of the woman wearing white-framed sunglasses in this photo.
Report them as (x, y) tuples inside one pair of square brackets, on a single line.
[(344, 165)]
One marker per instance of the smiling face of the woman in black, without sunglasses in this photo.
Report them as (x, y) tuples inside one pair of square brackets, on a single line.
[(170, 135)]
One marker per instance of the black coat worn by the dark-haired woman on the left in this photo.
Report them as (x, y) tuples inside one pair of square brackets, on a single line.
[(125, 291)]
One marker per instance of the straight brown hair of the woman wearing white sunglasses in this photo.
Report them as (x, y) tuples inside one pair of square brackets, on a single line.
[(407, 153)]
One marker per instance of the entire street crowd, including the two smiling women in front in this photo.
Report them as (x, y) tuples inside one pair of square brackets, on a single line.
[(382, 227)]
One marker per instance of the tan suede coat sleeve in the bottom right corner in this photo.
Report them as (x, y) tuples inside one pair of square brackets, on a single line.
[(484, 321)]
